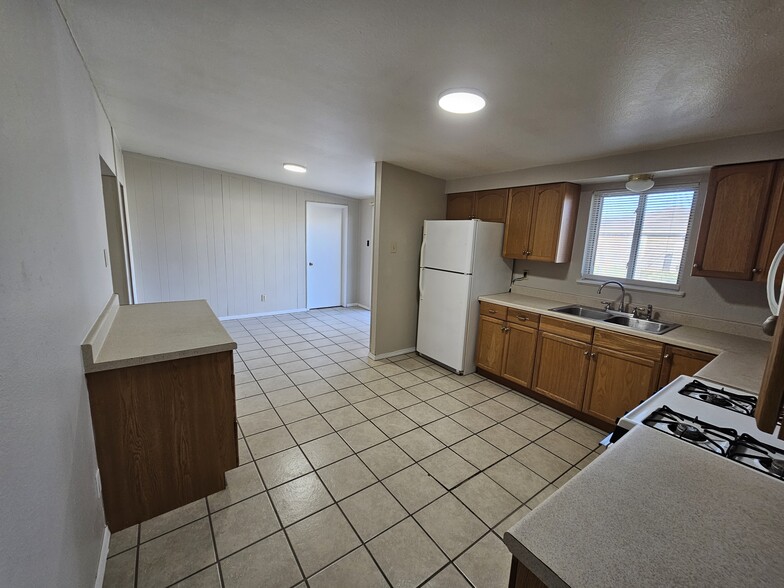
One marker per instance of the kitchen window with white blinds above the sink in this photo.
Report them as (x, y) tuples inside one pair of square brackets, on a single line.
[(639, 238)]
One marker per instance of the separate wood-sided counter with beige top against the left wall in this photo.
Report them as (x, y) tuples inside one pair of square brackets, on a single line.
[(161, 388)]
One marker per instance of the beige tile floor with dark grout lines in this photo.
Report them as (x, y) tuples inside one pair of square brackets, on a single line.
[(357, 472)]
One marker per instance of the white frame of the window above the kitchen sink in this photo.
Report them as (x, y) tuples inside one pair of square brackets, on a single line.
[(591, 237)]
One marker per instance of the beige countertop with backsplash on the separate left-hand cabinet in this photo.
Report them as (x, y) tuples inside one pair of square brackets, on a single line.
[(139, 334)]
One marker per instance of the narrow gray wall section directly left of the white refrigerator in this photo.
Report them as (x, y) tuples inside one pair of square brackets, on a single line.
[(404, 200)]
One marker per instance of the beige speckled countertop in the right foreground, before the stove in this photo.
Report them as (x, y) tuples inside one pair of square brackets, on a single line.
[(655, 511)]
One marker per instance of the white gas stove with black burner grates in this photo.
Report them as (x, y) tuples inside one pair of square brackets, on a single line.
[(712, 417)]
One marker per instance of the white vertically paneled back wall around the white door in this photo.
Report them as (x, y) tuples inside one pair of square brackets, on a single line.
[(201, 233)]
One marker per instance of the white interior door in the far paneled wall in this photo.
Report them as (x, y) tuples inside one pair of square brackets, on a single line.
[(324, 246)]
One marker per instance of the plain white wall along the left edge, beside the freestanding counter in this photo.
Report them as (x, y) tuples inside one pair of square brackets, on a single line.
[(53, 285)]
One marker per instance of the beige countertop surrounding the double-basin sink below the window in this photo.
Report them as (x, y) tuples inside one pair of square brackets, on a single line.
[(740, 361)]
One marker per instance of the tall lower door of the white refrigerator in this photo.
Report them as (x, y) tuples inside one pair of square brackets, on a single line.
[(443, 314)]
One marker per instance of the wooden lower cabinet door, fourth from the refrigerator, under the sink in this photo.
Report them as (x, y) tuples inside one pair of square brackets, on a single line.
[(618, 382)]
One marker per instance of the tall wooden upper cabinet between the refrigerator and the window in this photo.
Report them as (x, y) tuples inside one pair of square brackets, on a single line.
[(540, 222)]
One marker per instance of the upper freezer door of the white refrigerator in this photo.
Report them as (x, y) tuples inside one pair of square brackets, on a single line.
[(449, 245)]
